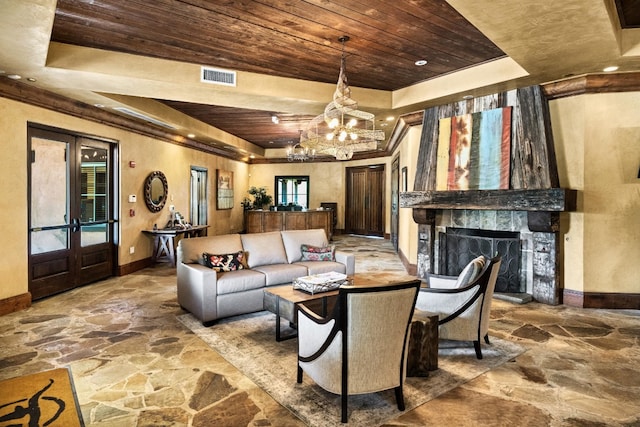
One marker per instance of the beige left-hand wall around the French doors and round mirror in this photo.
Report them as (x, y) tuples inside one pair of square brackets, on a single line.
[(149, 155)]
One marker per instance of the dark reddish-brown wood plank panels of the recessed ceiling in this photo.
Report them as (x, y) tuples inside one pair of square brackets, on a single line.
[(296, 39)]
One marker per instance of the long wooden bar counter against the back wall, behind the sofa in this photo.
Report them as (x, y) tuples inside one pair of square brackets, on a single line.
[(264, 221)]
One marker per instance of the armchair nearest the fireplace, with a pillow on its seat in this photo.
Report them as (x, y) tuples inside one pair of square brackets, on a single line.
[(463, 303)]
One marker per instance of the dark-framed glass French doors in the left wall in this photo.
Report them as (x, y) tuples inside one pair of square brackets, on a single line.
[(71, 211)]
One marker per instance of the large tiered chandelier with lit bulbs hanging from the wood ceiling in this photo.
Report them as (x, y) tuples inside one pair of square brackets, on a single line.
[(342, 129)]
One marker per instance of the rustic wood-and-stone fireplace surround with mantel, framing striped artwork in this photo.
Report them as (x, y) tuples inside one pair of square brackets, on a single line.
[(531, 205)]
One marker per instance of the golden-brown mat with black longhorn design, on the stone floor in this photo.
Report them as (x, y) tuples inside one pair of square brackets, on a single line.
[(44, 399)]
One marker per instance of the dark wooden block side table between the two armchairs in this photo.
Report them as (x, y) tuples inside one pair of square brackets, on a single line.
[(423, 344)]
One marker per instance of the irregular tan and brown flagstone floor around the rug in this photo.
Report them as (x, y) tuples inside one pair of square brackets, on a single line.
[(134, 364)]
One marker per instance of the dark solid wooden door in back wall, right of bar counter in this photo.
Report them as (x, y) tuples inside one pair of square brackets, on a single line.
[(364, 201)]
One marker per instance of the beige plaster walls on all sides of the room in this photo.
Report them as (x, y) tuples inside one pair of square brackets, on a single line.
[(597, 141)]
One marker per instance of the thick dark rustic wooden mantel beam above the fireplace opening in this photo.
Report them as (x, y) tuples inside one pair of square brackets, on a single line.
[(541, 200)]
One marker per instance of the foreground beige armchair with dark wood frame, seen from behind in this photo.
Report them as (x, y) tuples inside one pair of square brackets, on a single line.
[(361, 347)]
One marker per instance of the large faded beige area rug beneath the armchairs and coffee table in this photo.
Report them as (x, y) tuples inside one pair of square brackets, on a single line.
[(248, 343)]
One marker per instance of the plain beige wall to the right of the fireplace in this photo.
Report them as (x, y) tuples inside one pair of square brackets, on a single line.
[(597, 141)]
